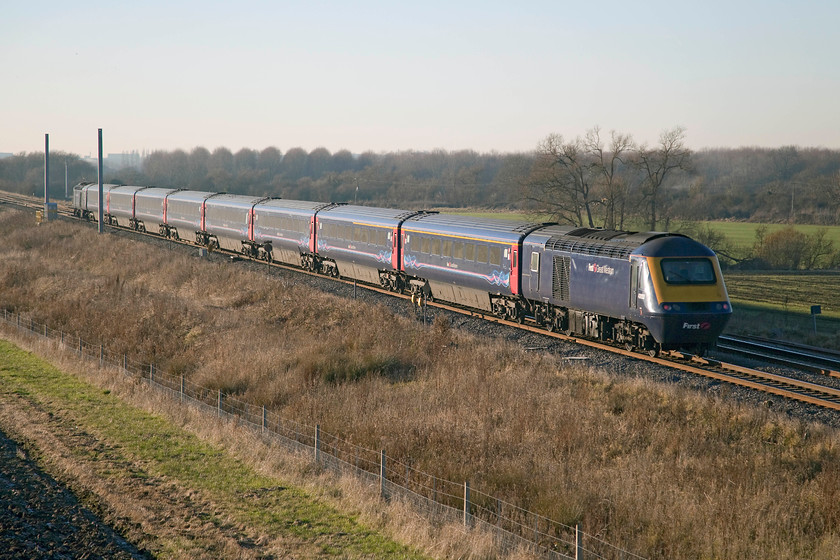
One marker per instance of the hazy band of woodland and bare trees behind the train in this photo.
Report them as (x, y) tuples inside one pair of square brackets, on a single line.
[(598, 180)]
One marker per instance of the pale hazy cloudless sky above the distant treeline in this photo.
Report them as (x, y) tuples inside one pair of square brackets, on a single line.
[(389, 76)]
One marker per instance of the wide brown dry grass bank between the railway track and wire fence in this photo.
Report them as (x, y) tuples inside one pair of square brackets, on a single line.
[(660, 471)]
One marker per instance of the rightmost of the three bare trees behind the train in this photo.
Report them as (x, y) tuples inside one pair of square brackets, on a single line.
[(658, 163)]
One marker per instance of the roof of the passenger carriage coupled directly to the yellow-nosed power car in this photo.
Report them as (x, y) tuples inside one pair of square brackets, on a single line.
[(491, 229)]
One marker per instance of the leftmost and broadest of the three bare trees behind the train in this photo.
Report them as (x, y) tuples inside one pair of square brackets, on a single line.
[(560, 183)]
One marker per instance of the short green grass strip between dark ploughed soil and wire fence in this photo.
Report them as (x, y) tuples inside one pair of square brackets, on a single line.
[(136, 437)]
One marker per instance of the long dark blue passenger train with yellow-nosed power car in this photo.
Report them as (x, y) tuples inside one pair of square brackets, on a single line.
[(647, 291)]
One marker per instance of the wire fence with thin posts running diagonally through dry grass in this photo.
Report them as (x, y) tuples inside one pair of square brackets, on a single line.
[(441, 501)]
